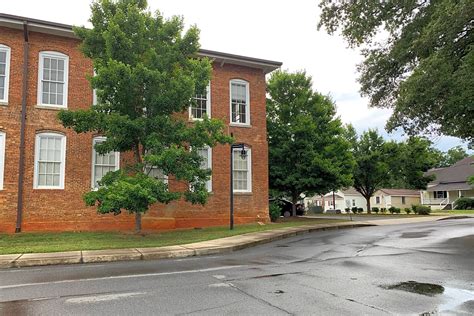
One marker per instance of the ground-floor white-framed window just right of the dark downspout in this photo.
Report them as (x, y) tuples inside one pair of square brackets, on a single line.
[(50, 161)]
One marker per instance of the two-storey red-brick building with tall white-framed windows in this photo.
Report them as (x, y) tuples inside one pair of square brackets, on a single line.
[(45, 168)]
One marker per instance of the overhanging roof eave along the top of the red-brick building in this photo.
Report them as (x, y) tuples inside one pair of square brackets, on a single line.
[(18, 22)]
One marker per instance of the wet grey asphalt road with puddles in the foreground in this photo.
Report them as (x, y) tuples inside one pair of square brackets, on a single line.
[(339, 272)]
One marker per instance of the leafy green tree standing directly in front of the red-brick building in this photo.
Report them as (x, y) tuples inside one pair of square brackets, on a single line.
[(145, 77)]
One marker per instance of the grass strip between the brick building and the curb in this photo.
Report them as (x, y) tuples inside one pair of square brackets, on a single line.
[(53, 242)]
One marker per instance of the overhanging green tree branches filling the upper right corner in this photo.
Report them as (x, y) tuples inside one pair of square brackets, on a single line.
[(423, 68)]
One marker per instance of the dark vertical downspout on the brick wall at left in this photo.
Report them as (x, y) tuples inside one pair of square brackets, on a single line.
[(21, 164)]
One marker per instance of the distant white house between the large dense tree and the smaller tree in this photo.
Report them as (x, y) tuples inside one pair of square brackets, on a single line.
[(348, 198)]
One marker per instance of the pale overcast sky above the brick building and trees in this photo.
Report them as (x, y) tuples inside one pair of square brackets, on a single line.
[(278, 30)]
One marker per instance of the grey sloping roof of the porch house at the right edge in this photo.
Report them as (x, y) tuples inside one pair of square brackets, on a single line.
[(454, 177)]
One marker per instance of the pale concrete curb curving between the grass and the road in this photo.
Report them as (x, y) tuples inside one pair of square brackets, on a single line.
[(210, 247)]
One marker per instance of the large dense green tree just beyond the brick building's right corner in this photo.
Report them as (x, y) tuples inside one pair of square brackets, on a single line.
[(308, 153)]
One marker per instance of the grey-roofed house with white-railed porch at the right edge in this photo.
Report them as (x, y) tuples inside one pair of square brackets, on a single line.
[(450, 183)]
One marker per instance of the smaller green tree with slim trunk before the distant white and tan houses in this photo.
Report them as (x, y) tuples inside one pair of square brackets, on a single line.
[(371, 169)]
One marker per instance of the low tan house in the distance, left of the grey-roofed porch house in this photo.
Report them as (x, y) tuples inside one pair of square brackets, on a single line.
[(401, 198)]
